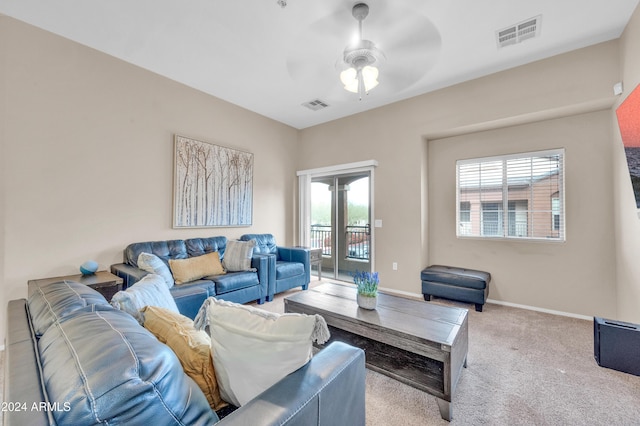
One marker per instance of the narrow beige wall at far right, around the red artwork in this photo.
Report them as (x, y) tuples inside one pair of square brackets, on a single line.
[(627, 217)]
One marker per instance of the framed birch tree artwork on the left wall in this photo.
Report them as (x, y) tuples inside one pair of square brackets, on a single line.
[(213, 185)]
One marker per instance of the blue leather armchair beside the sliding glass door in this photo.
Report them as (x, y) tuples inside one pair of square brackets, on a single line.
[(288, 266)]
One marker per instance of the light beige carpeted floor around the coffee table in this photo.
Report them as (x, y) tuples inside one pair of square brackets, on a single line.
[(523, 368)]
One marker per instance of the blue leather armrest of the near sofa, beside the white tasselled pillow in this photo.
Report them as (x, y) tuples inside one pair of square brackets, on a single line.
[(328, 390)]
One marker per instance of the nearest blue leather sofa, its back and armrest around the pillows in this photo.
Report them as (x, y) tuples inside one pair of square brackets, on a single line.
[(72, 359)]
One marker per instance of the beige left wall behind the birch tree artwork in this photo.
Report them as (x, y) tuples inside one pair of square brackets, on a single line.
[(87, 157)]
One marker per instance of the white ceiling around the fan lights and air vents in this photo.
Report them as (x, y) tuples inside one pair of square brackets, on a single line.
[(271, 60)]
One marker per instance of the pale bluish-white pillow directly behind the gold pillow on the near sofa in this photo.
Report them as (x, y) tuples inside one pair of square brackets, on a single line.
[(151, 290)]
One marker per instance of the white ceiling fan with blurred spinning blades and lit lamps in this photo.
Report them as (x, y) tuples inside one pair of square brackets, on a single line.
[(407, 45)]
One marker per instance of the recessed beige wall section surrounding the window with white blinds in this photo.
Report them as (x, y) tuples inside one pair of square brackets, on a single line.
[(575, 276)]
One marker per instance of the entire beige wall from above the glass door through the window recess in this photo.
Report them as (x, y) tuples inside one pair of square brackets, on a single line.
[(415, 180)]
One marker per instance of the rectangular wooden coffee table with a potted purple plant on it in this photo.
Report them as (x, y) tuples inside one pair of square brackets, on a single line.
[(417, 343)]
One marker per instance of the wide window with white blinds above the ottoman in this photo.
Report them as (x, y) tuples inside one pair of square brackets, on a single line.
[(512, 196)]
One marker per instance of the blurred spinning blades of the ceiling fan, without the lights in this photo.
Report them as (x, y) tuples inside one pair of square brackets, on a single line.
[(409, 41)]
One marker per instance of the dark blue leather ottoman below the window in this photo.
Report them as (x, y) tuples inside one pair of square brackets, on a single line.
[(464, 285)]
